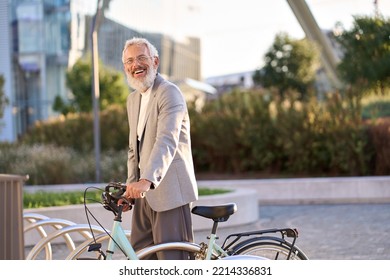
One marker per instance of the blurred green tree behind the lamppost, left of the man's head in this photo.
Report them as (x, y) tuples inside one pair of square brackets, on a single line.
[(113, 89)]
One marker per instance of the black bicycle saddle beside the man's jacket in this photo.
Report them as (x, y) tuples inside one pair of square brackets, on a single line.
[(219, 213)]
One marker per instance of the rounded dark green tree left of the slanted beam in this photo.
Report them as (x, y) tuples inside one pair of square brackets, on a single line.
[(289, 64)]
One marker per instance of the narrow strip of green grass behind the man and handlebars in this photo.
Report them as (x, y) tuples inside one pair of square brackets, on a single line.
[(47, 199)]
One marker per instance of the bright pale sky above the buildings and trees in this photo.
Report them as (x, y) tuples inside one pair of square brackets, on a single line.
[(235, 34)]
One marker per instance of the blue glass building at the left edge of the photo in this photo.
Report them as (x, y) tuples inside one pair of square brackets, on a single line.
[(45, 37)]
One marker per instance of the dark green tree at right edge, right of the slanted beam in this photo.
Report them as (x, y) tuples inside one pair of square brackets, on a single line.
[(366, 48)]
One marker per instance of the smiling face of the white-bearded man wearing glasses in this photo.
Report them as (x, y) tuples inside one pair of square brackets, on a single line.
[(140, 67)]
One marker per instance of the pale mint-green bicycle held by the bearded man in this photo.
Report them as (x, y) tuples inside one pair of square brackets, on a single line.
[(262, 244)]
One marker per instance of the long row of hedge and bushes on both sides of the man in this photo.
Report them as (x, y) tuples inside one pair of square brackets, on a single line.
[(240, 132)]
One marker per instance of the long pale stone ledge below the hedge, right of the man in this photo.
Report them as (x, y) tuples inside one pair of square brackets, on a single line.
[(330, 190)]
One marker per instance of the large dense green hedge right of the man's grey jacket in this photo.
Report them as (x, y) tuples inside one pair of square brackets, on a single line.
[(250, 131)]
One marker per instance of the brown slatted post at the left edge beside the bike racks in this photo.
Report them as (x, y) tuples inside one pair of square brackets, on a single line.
[(11, 217)]
